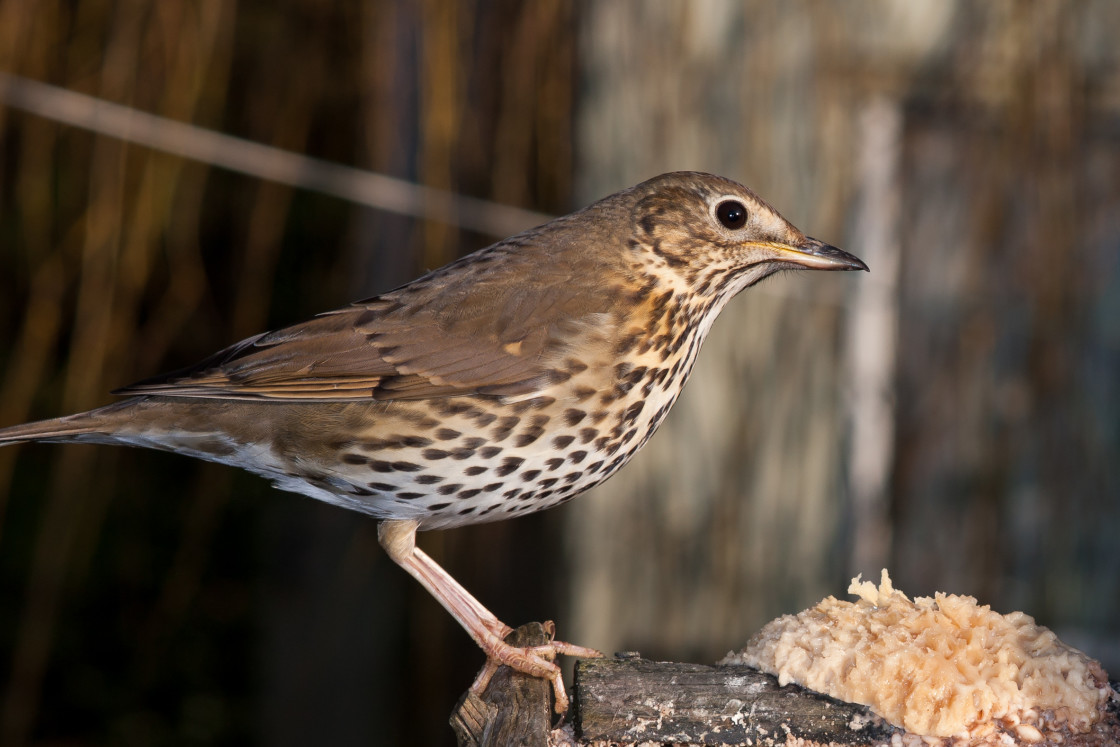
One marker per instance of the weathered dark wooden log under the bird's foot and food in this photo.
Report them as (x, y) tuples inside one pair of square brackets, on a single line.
[(630, 701)]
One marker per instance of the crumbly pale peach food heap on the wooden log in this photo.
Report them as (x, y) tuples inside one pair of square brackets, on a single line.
[(941, 667)]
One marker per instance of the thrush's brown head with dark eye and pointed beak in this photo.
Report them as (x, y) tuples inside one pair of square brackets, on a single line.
[(716, 238)]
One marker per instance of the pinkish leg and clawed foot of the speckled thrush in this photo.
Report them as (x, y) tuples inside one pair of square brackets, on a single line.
[(398, 538)]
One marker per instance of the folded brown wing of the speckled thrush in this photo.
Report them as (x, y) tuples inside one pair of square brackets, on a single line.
[(492, 324)]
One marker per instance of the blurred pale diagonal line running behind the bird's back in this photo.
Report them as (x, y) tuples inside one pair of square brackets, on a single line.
[(264, 162)]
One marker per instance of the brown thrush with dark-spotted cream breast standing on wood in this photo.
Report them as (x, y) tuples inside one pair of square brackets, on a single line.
[(507, 382)]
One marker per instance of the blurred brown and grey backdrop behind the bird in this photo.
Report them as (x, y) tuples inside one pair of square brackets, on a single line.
[(955, 416)]
